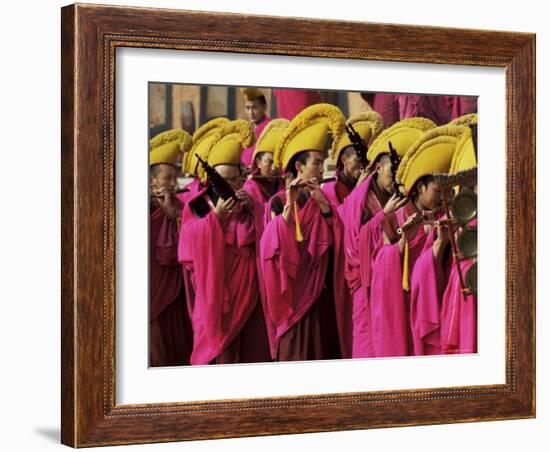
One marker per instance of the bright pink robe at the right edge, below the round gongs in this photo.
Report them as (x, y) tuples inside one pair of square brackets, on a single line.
[(458, 314)]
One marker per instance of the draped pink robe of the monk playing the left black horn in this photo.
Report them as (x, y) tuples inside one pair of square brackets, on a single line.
[(218, 255)]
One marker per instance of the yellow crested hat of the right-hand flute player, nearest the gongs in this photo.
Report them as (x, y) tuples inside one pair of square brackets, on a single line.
[(431, 153)]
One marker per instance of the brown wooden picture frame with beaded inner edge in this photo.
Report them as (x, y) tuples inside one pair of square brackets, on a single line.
[(90, 36)]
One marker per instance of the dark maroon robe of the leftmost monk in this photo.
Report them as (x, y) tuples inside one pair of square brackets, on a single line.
[(170, 328)]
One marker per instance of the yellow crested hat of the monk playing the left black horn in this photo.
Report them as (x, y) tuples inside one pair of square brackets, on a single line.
[(227, 144)]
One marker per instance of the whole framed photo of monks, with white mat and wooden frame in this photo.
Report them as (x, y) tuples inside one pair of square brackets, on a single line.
[(211, 317)]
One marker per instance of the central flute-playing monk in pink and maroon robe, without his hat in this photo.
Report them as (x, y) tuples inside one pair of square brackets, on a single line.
[(298, 274)]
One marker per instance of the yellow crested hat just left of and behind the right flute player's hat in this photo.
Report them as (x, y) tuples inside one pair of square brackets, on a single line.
[(402, 135)]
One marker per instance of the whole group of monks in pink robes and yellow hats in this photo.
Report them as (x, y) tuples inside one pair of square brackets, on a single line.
[(293, 267)]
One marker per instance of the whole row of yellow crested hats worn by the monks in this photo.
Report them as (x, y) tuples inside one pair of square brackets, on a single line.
[(424, 148)]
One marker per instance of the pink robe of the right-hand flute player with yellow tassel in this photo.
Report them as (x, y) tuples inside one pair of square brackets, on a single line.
[(390, 304)]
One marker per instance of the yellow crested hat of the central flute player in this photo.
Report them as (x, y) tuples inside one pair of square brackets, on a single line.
[(308, 131)]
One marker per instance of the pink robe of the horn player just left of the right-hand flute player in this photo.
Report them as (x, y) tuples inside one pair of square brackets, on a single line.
[(362, 243)]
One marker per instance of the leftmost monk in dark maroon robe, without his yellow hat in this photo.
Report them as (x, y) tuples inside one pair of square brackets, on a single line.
[(170, 327)]
